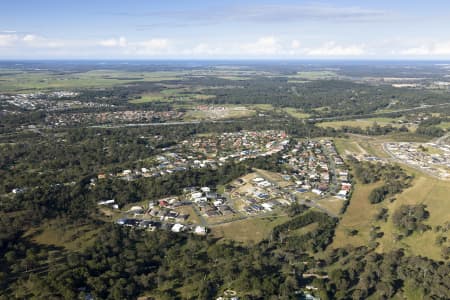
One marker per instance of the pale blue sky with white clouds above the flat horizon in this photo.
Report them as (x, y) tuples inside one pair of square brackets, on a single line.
[(200, 29)]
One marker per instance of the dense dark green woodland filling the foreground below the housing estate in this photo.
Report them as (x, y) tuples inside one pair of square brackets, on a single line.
[(125, 264)]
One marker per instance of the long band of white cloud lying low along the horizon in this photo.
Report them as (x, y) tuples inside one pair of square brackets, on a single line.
[(31, 45)]
